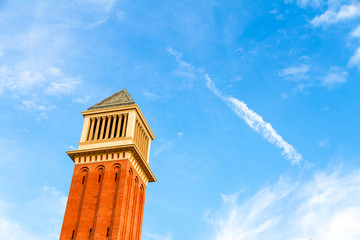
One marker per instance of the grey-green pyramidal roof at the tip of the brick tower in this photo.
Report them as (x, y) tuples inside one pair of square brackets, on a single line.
[(121, 98)]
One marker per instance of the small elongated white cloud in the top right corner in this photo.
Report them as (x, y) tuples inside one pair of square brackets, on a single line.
[(346, 12)]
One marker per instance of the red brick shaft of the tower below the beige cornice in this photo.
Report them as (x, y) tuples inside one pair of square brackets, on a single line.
[(112, 207)]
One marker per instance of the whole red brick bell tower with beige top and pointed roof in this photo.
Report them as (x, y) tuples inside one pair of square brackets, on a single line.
[(107, 193)]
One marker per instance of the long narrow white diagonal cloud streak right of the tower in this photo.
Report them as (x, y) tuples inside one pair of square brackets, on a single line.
[(256, 123)]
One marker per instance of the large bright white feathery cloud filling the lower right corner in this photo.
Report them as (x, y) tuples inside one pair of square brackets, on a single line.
[(320, 209)]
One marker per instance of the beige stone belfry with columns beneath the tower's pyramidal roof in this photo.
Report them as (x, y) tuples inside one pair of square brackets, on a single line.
[(117, 126)]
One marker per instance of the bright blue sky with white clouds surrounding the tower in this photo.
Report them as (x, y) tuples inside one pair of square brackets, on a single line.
[(254, 105)]
